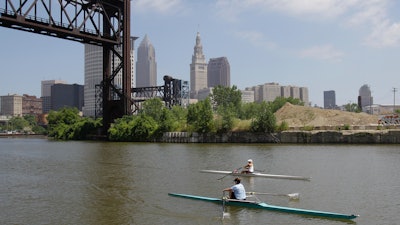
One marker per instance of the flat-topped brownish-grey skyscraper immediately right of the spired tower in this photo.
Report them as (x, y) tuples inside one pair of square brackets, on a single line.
[(219, 72)]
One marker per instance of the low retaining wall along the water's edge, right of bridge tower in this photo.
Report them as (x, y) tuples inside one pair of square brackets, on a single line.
[(289, 137)]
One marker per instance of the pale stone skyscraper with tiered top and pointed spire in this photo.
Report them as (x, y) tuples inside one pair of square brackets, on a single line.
[(198, 69)]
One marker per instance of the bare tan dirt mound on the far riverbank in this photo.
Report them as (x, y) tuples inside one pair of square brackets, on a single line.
[(300, 116)]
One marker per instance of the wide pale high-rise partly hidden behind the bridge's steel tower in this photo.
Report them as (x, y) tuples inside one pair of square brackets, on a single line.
[(94, 75)]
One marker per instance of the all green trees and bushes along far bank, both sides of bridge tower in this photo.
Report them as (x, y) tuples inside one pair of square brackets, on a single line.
[(222, 111)]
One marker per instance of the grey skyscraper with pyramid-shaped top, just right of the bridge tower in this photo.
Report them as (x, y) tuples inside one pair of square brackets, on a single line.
[(146, 66)]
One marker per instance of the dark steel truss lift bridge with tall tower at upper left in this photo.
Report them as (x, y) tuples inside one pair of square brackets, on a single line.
[(104, 23)]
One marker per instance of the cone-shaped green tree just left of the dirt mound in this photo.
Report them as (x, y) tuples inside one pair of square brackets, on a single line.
[(265, 120)]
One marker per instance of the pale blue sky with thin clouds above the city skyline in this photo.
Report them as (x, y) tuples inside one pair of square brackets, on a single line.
[(320, 44)]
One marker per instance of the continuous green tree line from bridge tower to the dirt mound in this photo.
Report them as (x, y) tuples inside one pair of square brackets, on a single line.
[(222, 111)]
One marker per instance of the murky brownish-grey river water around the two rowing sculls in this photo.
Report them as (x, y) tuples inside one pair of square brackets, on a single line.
[(54, 182)]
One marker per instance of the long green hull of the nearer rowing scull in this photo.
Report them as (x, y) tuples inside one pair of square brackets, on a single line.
[(262, 205)]
